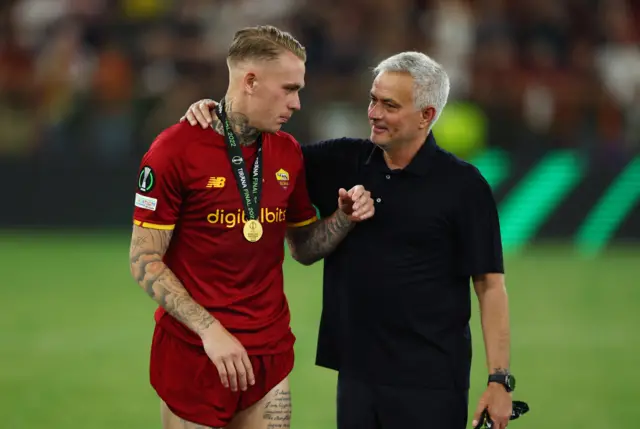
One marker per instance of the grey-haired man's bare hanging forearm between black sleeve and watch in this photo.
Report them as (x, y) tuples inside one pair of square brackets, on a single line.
[(494, 313)]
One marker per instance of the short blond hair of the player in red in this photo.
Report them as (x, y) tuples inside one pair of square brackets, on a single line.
[(263, 42)]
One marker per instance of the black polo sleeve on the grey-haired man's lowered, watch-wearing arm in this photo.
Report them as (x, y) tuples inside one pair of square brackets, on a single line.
[(479, 229)]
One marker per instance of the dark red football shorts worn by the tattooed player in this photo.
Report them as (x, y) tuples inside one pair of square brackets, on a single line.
[(188, 382)]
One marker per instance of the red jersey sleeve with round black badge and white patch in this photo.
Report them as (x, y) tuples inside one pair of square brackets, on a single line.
[(159, 188)]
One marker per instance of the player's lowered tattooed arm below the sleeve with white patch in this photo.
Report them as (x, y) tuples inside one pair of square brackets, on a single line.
[(147, 249)]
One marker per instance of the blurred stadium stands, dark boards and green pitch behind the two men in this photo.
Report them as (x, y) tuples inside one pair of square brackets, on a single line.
[(545, 100)]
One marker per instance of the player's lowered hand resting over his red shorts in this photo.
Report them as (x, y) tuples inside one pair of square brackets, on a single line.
[(229, 356)]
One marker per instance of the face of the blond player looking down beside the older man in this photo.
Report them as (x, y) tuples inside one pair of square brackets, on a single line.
[(275, 94)]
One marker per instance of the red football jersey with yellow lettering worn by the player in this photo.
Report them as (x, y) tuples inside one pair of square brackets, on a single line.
[(186, 184)]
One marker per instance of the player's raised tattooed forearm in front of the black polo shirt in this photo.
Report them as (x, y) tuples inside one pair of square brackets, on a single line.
[(311, 243)]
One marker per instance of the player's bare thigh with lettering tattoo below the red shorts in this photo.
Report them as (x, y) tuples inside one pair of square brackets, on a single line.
[(273, 411)]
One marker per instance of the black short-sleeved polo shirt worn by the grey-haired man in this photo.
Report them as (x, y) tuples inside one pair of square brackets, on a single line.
[(397, 292)]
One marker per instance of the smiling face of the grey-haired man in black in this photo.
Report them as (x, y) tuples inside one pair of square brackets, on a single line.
[(392, 113)]
